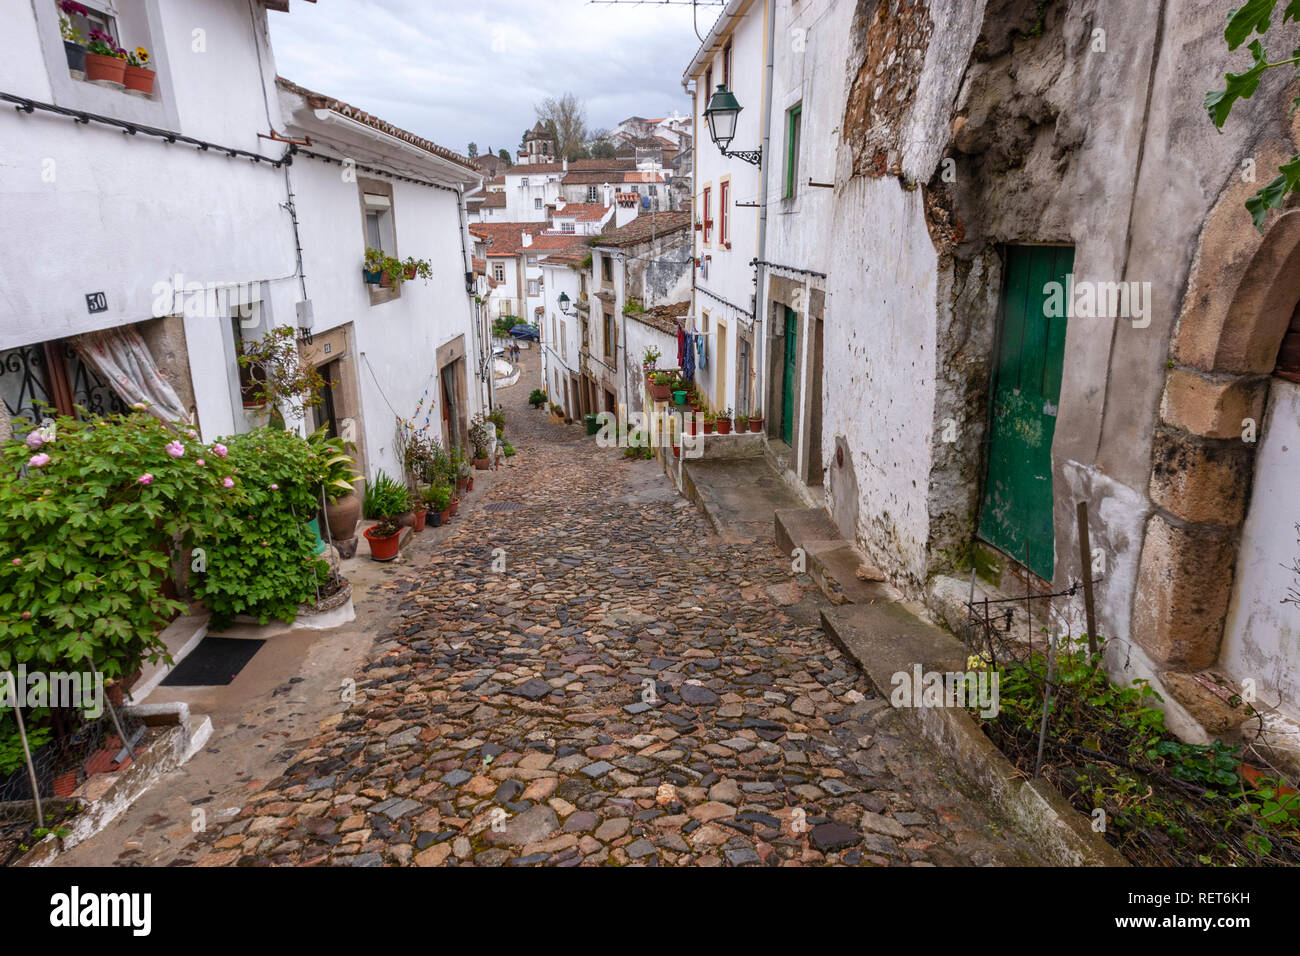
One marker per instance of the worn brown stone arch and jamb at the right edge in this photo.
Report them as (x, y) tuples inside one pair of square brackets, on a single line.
[(1240, 304)]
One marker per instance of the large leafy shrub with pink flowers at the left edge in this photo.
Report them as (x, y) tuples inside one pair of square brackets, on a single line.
[(89, 516)]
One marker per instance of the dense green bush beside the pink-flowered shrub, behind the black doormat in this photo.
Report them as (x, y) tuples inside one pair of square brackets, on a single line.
[(262, 561)]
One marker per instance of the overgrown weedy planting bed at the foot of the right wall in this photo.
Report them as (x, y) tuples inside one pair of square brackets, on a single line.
[(1106, 747)]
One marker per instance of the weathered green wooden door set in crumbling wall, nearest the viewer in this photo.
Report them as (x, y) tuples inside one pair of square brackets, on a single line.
[(1017, 512)]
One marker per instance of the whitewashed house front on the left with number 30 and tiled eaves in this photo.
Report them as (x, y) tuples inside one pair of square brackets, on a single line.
[(170, 246)]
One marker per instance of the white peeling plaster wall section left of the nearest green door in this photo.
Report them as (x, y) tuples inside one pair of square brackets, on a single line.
[(881, 370)]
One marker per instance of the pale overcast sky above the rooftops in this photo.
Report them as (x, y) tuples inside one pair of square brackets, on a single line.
[(460, 72)]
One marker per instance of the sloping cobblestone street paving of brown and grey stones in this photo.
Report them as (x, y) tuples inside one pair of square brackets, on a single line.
[(630, 690)]
